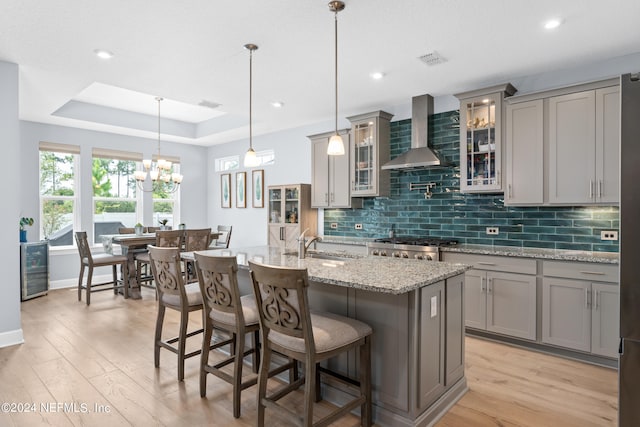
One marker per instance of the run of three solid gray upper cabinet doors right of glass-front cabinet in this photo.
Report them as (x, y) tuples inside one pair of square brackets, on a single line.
[(563, 146)]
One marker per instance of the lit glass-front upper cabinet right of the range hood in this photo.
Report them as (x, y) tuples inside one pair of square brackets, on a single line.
[(481, 144)]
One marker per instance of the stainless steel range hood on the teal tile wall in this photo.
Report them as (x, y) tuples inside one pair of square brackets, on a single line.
[(420, 155)]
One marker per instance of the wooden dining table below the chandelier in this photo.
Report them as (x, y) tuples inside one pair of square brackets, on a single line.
[(132, 244)]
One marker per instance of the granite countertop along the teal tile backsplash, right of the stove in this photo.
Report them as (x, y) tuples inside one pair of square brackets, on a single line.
[(538, 253)]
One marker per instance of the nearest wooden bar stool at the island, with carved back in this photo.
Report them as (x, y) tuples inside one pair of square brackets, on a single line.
[(288, 327)]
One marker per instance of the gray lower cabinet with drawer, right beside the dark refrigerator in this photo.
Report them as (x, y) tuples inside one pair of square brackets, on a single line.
[(580, 307)]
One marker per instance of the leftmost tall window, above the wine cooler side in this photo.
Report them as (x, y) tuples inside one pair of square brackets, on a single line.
[(58, 192)]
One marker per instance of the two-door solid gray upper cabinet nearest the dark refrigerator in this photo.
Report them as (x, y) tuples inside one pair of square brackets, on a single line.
[(584, 147)]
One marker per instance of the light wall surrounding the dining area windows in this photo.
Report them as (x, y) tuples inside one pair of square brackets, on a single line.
[(64, 265)]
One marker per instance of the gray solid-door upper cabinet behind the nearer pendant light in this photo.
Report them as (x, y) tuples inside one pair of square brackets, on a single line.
[(330, 175)]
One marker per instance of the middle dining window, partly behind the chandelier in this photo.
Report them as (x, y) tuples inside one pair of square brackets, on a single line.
[(116, 202)]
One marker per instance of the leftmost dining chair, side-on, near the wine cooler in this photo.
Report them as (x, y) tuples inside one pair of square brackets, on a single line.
[(90, 261)]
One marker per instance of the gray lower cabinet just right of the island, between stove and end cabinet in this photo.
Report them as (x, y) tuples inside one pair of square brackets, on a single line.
[(500, 294)]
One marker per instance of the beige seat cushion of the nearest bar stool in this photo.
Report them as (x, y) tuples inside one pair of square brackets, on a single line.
[(330, 331)]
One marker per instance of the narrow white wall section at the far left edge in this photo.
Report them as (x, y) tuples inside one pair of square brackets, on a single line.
[(10, 327)]
